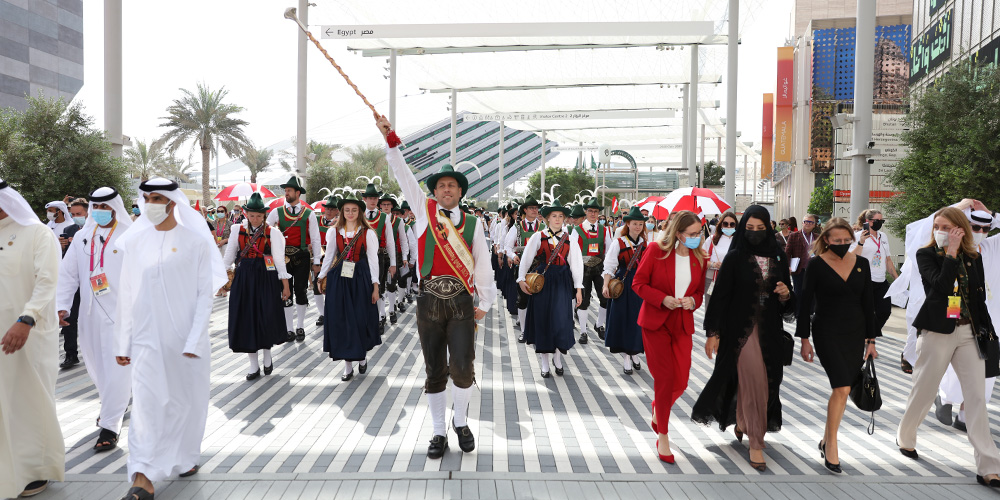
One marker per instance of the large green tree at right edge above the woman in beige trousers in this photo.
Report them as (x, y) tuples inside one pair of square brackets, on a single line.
[(953, 148)]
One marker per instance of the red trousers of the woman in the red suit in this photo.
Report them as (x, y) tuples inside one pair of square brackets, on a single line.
[(668, 357)]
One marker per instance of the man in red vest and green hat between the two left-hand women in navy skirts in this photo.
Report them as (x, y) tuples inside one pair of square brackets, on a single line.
[(298, 224)]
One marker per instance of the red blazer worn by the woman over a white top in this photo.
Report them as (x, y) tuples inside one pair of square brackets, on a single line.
[(654, 280)]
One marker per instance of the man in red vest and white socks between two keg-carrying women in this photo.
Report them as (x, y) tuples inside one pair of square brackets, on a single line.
[(594, 240)]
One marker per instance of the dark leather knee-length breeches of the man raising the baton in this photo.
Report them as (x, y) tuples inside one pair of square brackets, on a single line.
[(447, 330)]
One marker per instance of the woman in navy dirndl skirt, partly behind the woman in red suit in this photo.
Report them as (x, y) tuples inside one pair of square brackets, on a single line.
[(624, 336)]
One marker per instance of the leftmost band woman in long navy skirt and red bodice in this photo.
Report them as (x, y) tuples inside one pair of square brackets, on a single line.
[(259, 286)]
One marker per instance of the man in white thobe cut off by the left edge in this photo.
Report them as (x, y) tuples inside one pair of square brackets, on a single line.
[(32, 451)]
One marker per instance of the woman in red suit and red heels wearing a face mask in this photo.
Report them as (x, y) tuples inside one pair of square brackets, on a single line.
[(671, 281)]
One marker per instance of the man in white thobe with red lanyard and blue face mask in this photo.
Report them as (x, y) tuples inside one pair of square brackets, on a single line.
[(93, 266)]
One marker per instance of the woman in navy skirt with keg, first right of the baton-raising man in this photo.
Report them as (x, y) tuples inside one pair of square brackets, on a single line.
[(549, 324)]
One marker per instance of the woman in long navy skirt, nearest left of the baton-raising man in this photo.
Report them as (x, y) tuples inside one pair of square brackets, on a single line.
[(350, 268)]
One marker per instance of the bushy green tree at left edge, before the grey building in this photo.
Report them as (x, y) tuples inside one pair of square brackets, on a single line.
[(52, 150)]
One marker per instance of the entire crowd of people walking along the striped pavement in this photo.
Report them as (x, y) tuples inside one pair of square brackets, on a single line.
[(133, 291)]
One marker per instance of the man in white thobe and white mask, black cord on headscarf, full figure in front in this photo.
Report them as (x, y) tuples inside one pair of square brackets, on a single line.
[(171, 271)]
